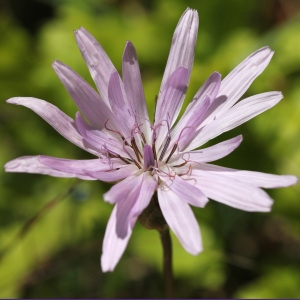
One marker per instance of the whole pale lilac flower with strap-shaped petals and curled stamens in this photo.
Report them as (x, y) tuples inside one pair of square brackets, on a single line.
[(147, 157)]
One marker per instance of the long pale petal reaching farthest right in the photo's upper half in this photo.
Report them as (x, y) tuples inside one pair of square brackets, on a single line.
[(237, 115)]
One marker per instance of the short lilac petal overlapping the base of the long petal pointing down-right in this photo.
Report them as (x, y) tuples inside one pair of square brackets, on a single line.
[(186, 191)]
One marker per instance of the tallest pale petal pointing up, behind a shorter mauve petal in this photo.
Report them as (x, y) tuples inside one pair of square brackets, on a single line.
[(183, 45)]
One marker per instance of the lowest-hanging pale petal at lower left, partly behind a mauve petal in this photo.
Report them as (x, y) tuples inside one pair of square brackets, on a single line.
[(113, 246)]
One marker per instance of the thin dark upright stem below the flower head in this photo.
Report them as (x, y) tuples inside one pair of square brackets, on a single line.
[(167, 261)]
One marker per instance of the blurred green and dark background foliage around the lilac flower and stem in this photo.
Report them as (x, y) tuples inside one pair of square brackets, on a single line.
[(54, 250)]
